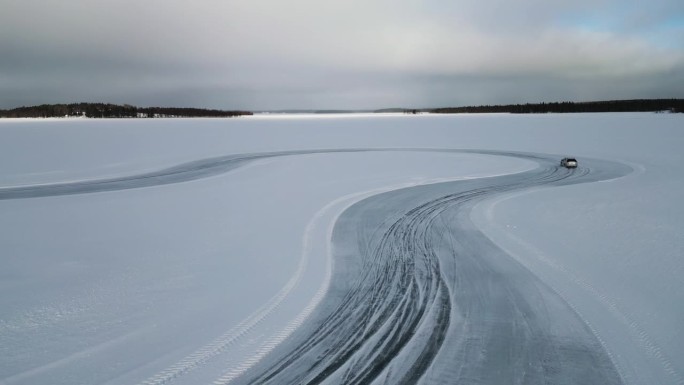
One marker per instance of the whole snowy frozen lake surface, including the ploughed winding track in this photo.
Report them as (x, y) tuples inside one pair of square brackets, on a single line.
[(342, 249)]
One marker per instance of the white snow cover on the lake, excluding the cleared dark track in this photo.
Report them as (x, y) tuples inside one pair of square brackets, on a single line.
[(198, 280)]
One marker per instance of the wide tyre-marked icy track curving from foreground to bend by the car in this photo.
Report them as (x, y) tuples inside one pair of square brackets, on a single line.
[(419, 295)]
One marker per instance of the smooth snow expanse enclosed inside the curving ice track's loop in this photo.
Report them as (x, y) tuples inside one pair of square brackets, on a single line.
[(159, 256)]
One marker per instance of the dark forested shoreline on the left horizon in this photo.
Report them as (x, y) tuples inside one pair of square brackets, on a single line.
[(106, 110)]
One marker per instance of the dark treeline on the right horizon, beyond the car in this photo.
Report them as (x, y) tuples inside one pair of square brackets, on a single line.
[(638, 105)]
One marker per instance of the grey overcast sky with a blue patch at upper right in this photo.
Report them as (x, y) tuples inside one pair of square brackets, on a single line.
[(348, 54)]
